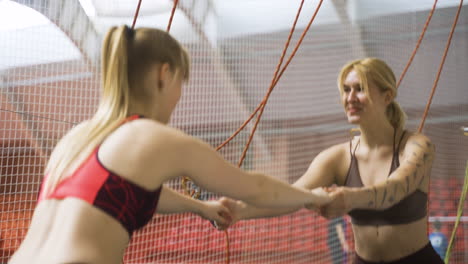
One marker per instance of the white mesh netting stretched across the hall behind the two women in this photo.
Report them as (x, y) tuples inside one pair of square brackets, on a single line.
[(49, 80)]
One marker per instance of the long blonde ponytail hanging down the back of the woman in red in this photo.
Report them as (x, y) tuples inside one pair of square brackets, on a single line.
[(112, 110)]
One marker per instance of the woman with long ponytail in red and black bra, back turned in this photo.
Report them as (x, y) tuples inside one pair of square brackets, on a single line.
[(104, 179)]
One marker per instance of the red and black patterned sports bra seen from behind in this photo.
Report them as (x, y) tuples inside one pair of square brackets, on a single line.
[(130, 204)]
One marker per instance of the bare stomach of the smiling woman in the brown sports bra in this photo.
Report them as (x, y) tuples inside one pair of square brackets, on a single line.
[(390, 242)]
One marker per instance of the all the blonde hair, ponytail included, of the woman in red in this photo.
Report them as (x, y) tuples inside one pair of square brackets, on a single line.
[(127, 56)]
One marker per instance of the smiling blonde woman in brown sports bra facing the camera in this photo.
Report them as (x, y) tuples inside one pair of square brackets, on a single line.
[(380, 178)]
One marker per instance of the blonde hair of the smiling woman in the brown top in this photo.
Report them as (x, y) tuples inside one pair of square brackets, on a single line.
[(382, 75)]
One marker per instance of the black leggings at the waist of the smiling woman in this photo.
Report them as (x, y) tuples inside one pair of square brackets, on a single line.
[(426, 255)]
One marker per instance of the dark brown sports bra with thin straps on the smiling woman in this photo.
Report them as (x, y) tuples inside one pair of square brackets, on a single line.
[(410, 209)]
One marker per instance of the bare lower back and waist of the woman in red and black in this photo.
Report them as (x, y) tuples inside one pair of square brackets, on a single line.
[(71, 231)]
